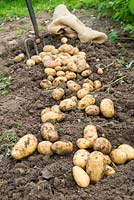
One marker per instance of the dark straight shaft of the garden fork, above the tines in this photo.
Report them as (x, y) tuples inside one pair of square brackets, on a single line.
[(33, 18)]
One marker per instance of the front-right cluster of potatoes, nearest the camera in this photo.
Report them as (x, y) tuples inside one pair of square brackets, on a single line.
[(91, 166)]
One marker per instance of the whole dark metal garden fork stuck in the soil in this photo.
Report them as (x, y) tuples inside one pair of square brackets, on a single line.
[(36, 31)]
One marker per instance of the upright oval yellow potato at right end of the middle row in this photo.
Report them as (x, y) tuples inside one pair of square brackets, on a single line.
[(107, 108)]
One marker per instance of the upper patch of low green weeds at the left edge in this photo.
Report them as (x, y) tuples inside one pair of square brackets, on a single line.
[(5, 81)]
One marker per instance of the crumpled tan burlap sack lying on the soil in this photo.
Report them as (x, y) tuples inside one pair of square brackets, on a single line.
[(65, 22)]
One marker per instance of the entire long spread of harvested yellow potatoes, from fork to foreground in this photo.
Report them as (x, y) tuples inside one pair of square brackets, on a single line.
[(95, 155)]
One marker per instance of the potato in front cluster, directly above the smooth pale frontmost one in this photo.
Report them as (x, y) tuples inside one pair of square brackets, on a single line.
[(80, 158)]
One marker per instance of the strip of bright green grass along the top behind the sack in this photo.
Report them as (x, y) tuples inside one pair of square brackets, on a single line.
[(17, 8)]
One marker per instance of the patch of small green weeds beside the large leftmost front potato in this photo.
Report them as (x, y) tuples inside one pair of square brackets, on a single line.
[(7, 140)]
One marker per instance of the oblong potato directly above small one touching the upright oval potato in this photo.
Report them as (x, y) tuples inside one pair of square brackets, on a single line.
[(86, 101)]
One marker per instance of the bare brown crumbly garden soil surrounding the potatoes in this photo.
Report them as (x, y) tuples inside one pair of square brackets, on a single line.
[(40, 177)]
